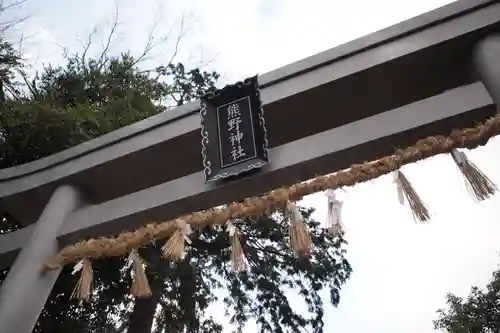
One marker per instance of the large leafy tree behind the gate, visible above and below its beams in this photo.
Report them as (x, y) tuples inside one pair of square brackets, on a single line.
[(89, 97)]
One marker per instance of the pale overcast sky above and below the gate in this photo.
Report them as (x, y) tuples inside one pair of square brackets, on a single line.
[(401, 270)]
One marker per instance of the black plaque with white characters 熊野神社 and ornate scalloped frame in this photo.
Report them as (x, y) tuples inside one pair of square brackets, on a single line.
[(233, 131)]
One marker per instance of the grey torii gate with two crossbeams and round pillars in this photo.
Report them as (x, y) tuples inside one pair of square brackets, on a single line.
[(422, 77)]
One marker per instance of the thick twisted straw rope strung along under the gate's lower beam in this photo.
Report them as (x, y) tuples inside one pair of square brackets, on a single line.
[(256, 206)]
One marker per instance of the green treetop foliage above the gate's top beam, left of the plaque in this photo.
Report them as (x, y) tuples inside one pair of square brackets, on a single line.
[(88, 98)]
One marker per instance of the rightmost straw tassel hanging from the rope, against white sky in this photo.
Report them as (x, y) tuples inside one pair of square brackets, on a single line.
[(478, 184)]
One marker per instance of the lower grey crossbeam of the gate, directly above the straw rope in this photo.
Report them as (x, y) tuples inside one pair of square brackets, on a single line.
[(295, 161)]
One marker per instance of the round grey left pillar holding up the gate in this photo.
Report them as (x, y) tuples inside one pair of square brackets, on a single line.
[(25, 290)]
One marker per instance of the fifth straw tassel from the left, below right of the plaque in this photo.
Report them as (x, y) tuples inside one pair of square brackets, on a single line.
[(299, 236)]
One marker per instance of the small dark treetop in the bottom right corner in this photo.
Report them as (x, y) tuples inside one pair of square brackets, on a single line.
[(478, 313)]
